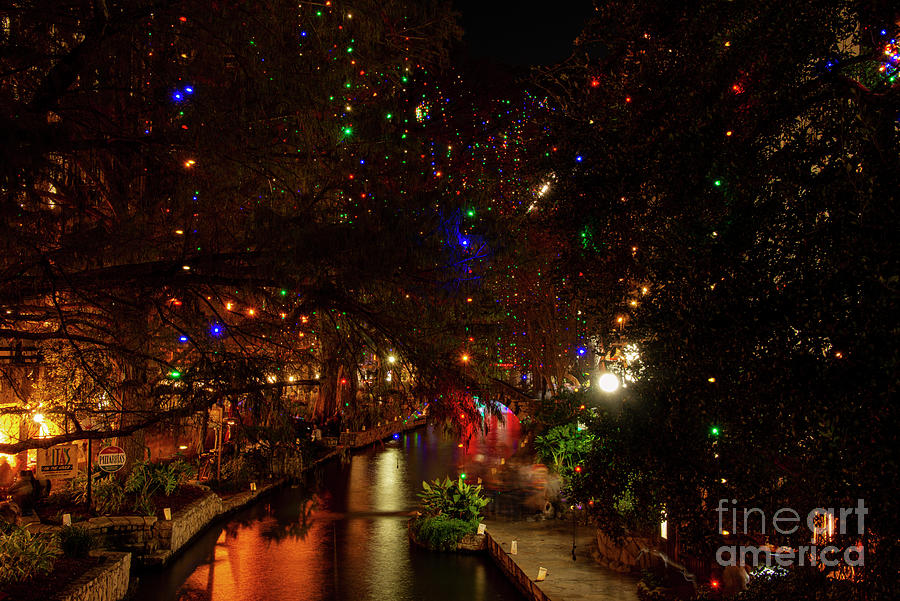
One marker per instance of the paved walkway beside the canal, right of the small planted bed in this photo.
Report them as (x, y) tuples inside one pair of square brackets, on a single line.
[(548, 544)]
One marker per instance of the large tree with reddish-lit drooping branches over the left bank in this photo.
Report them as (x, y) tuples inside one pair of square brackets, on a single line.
[(188, 191)]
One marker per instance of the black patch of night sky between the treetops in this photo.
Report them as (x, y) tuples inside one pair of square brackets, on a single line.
[(522, 33)]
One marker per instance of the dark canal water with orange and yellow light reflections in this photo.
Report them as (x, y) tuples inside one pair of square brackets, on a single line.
[(342, 535)]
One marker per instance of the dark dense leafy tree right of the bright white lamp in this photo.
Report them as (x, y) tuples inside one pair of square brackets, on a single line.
[(739, 160)]
